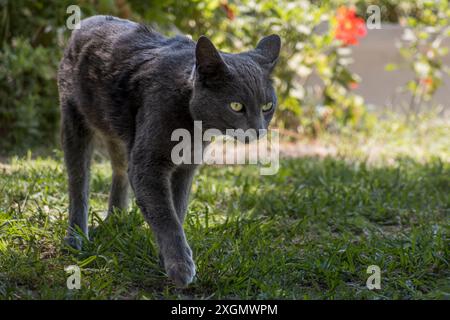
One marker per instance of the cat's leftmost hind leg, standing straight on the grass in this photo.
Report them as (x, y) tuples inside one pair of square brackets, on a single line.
[(77, 145)]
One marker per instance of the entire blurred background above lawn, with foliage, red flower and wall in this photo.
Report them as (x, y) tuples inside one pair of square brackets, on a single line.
[(335, 74)]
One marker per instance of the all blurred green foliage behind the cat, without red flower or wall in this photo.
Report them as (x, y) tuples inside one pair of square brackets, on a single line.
[(33, 33)]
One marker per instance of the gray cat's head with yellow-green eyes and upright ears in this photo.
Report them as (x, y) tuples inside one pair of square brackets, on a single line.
[(234, 91)]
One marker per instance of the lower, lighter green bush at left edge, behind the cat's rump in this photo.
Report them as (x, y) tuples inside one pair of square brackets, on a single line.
[(28, 95)]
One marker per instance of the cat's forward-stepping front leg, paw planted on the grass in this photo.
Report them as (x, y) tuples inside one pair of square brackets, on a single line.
[(151, 185)]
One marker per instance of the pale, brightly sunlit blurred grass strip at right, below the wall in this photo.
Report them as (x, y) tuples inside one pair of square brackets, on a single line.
[(421, 138)]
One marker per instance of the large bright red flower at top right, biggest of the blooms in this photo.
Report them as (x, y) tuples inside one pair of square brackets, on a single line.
[(349, 27)]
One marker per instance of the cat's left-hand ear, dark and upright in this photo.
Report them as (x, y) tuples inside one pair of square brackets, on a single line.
[(208, 62)]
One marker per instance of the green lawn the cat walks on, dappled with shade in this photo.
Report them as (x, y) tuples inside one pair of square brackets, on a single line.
[(308, 232)]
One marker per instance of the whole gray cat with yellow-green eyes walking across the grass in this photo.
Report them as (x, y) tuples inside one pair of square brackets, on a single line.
[(133, 87)]
